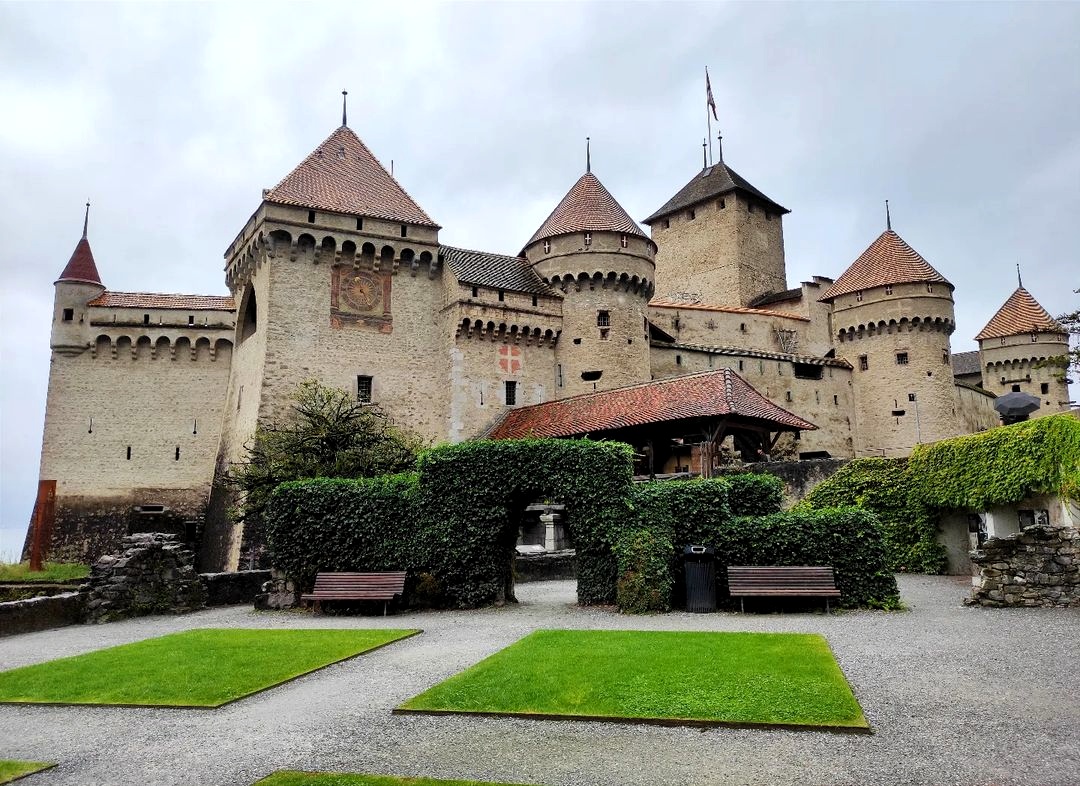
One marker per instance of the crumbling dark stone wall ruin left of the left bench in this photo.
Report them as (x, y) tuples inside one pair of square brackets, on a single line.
[(154, 576)]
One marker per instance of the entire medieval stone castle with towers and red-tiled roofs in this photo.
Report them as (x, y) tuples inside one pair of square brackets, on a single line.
[(340, 276)]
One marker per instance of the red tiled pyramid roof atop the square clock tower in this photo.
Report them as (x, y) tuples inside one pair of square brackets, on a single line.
[(342, 175)]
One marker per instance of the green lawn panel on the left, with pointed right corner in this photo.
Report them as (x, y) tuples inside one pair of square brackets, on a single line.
[(197, 669)]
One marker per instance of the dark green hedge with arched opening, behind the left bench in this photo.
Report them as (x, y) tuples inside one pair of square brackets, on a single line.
[(455, 523)]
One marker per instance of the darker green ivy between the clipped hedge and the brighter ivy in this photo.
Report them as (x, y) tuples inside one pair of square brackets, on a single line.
[(888, 489)]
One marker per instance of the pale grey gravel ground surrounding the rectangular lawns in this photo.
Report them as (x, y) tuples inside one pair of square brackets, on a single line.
[(956, 696)]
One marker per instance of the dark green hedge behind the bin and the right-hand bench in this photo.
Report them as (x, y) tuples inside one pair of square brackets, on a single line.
[(676, 514)]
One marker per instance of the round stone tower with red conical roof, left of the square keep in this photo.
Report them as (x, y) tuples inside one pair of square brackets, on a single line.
[(595, 253)]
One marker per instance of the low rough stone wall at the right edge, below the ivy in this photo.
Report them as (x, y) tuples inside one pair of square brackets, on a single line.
[(1041, 566)]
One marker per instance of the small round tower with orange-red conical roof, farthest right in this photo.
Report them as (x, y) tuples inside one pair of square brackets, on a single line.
[(1020, 336)]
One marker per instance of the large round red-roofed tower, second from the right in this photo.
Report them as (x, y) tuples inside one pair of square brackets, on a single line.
[(893, 317)]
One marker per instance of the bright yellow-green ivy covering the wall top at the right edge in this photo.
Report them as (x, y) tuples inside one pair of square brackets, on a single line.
[(1002, 466)]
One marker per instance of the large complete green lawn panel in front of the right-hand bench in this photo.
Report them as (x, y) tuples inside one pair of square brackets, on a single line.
[(708, 679)]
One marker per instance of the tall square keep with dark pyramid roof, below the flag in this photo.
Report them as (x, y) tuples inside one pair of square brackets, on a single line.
[(721, 240)]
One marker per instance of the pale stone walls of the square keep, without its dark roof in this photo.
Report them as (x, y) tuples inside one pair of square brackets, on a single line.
[(727, 251)]
